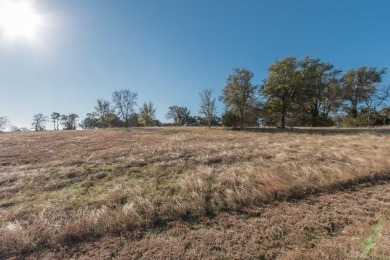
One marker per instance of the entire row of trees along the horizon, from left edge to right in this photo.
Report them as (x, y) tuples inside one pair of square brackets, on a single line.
[(306, 92)]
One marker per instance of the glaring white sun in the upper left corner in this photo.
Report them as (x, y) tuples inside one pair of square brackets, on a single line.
[(19, 20)]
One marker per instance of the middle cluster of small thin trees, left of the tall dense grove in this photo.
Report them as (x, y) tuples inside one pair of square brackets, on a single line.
[(121, 112)]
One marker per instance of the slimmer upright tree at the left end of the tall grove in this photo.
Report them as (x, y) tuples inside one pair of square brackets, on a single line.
[(239, 93)]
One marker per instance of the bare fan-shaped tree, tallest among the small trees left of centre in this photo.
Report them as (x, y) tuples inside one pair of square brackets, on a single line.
[(124, 101)]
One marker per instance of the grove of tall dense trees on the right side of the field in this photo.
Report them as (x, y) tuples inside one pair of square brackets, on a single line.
[(307, 92)]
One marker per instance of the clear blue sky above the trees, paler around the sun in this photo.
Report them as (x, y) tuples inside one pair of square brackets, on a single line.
[(167, 51)]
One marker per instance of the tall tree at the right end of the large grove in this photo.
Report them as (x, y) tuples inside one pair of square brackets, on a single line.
[(358, 85)]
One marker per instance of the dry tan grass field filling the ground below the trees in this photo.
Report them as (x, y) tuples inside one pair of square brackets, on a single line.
[(66, 189)]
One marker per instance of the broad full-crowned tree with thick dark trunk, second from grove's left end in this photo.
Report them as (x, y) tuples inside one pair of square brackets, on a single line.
[(283, 88)]
